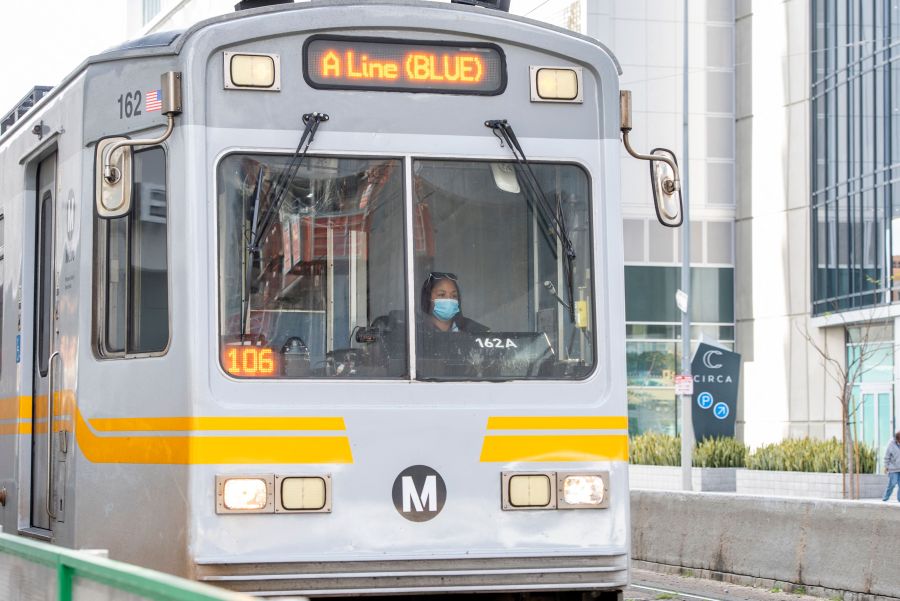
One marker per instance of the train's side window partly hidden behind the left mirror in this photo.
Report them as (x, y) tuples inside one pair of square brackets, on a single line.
[(133, 266)]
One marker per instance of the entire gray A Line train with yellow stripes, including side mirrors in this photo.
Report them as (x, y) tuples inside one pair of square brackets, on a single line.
[(325, 299)]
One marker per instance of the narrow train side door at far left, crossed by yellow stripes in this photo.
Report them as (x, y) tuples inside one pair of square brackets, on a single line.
[(46, 499)]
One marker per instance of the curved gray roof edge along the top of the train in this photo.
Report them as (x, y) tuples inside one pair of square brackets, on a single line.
[(171, 42)]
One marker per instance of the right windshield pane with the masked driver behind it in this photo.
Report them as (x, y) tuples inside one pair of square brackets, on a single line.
[(490, 270)]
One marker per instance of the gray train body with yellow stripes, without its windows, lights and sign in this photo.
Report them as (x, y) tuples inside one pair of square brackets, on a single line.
[(140, 441)]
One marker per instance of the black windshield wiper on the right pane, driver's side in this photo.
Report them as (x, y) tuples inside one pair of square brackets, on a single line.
[(552, 216)]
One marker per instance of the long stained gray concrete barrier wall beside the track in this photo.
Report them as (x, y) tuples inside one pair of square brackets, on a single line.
[(835, 546)]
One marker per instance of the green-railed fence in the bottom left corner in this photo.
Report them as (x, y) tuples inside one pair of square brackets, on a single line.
[(53, 573)]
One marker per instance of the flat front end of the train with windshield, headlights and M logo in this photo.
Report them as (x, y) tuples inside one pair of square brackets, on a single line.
[(414, 315)]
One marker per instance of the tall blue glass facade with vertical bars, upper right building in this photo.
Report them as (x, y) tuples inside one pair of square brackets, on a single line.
[(856, 154)]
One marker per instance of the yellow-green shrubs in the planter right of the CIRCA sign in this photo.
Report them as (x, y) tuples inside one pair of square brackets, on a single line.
[(808, 455)]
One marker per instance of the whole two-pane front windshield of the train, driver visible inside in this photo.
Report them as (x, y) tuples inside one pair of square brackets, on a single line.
[(312, 271)]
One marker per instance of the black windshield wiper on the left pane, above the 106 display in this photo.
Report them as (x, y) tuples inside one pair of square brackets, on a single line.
[(260, 225)]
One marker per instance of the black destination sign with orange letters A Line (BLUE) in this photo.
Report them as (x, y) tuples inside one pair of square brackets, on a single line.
[(401, 66)]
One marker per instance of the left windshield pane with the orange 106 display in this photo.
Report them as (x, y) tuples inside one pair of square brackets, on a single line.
[(323, 295)]
